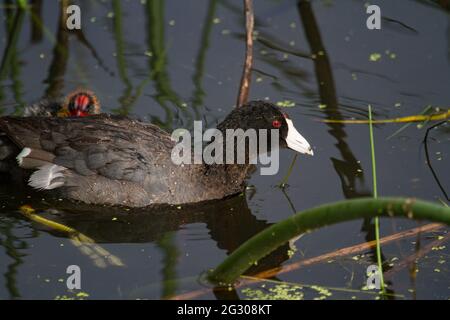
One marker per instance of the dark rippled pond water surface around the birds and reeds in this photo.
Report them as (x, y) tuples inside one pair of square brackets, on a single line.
[(171, 62)]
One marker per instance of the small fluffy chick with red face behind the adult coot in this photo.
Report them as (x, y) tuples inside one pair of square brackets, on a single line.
[(79, 103)]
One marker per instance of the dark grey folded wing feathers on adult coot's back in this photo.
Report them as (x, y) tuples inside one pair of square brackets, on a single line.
[(114, 147)]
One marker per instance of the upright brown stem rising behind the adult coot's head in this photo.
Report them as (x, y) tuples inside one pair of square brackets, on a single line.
[(247, 73)]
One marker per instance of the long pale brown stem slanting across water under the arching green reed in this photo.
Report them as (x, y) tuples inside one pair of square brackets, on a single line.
[(325, 257)]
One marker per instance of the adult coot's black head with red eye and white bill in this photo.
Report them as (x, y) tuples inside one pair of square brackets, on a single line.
[(263, 115)]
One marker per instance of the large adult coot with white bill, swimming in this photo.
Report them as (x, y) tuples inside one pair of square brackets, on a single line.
[(113, 160)]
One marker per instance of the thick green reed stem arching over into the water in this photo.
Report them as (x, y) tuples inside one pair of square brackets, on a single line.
[(279, 233)]
